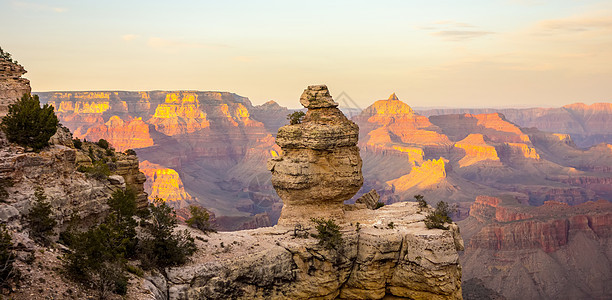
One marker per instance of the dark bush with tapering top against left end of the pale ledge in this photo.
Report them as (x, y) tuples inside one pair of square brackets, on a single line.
[(161, 247)]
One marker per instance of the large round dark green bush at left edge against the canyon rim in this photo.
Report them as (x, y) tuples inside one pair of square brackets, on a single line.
[(29, 125)]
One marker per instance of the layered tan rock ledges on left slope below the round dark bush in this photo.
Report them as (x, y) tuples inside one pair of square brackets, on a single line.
[(70, 192)]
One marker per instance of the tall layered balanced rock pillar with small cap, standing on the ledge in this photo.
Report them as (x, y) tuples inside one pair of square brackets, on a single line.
[(320, 166)]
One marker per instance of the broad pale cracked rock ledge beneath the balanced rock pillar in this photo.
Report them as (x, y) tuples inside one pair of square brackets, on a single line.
[(389, 253)]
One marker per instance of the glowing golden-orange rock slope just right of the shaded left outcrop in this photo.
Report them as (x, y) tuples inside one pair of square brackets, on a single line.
[(163, 182)]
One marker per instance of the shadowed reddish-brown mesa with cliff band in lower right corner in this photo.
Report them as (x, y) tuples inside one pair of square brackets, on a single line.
[(548, 252)]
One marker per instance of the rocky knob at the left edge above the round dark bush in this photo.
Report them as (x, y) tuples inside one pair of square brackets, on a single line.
[(12, 86)]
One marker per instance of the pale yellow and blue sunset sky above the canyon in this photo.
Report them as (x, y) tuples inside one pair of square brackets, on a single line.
[(508, 53)]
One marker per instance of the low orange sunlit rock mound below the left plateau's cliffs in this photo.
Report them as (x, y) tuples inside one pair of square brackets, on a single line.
[(122, 135)]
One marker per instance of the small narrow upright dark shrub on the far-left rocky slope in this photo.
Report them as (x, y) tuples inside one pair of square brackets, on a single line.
[(40, 219)]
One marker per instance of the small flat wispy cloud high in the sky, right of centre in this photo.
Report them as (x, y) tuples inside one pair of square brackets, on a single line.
[(454, 31)]
